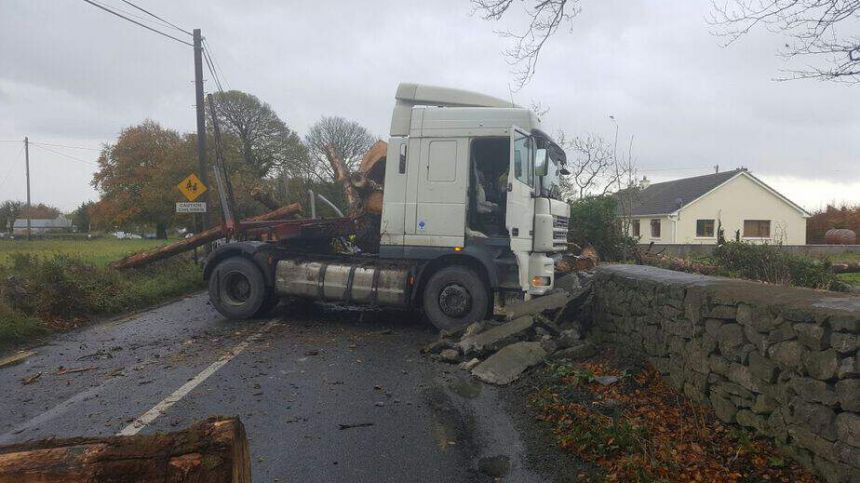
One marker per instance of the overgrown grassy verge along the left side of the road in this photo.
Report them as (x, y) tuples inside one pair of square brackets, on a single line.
[(44, 294)]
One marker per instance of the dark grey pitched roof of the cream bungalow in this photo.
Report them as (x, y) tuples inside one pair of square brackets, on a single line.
[(670, 196)]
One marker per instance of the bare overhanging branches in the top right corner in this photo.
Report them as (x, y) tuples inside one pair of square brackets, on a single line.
[(824, 31)]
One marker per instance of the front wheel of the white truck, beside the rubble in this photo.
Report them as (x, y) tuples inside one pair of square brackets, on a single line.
[(454, 297)]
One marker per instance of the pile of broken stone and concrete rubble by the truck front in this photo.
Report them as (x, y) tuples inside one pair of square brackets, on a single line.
[(548, 327)]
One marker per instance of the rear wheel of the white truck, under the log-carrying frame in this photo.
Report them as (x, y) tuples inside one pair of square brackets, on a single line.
[(237, 289)]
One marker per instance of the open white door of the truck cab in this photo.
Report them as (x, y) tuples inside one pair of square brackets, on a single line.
[(520, 203)]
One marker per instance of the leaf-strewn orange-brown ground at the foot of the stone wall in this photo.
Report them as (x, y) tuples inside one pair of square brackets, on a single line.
[(615, 419)]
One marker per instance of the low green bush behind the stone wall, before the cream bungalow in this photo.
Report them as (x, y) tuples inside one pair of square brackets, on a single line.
[(769, 263)]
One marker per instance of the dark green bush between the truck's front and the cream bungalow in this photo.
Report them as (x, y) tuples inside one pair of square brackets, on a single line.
[(594, 220)]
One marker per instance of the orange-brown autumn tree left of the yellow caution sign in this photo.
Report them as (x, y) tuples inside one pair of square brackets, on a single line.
[(137, 178)]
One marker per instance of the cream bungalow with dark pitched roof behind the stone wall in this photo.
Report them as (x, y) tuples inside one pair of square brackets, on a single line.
[(694, 210)]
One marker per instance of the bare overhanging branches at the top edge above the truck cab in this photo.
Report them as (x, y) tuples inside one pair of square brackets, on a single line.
[(545, 18)]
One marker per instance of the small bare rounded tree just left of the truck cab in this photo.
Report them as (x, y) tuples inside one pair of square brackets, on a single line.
[(349, 139)]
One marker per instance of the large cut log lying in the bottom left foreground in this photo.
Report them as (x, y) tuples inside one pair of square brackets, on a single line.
[(214, 450)]
